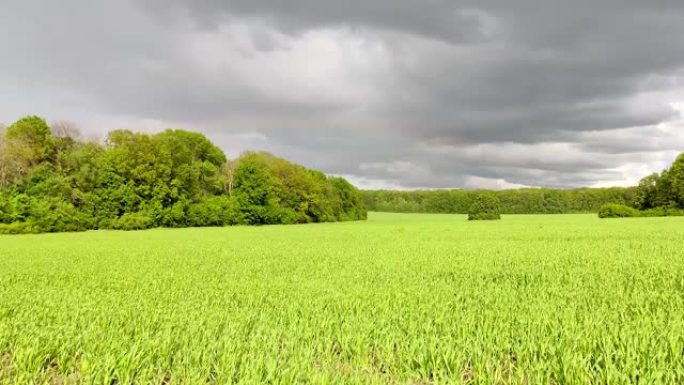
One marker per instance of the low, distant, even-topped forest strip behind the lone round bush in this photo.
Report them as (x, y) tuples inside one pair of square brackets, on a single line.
[(520, 201)]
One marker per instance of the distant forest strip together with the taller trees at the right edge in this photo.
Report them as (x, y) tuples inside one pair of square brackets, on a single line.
[(656, 195)]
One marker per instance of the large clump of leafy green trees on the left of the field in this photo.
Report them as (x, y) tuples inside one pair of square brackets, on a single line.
[(51, 181)]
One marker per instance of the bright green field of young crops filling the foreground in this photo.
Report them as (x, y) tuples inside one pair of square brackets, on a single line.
[(400, 299)]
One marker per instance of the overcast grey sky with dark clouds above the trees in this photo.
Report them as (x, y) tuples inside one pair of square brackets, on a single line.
[(389, 93)]
